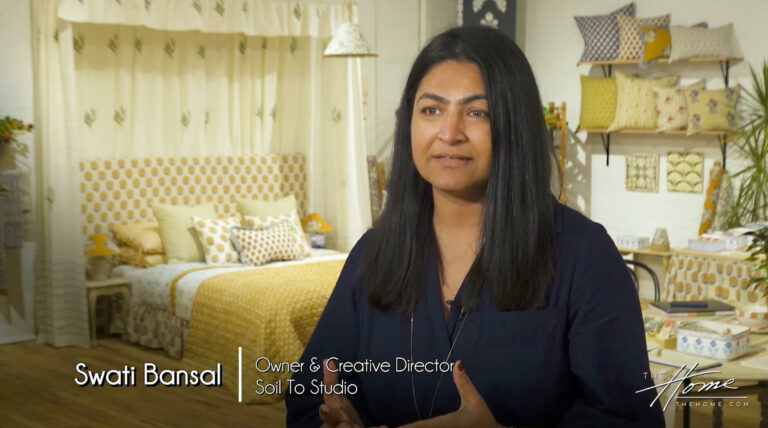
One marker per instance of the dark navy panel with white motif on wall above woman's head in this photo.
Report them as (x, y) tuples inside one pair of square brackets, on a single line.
[(498, 14)]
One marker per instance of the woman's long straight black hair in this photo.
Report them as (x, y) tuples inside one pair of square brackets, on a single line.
[(517, 255)]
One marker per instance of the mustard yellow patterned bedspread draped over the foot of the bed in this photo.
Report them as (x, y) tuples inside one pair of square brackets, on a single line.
[(268, 312)]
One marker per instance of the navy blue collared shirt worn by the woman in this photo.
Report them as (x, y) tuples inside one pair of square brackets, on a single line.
[(577, 361)]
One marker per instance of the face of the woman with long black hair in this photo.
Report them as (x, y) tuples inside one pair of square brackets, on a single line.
[(451, 130)]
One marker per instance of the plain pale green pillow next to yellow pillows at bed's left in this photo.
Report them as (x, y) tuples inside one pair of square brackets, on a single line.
[(178, 232)]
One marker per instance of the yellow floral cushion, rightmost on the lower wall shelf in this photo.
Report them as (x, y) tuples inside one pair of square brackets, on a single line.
[(713, 110)]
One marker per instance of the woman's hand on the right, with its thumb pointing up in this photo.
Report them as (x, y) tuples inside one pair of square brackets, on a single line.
[(473, 412)]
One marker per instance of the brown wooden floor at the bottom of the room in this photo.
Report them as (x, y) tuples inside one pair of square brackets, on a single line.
[(37, 389)]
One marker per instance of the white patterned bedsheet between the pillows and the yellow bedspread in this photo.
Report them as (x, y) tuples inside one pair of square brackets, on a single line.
[(152, 286)]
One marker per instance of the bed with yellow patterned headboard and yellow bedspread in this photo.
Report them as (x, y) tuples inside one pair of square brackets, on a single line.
[(203, 313)]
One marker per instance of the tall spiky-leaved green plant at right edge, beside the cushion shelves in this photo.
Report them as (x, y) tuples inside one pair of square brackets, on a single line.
[(751, 202)]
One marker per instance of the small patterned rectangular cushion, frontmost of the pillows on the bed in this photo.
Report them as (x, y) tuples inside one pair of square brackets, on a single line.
[(259, 246)]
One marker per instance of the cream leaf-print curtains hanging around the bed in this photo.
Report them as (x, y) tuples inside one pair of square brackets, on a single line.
[(151, 78)]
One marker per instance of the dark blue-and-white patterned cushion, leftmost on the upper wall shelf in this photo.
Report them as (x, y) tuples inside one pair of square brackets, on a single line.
[(601, 34)]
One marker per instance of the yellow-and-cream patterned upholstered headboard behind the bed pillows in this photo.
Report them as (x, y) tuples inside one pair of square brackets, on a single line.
[(123, 190)]
